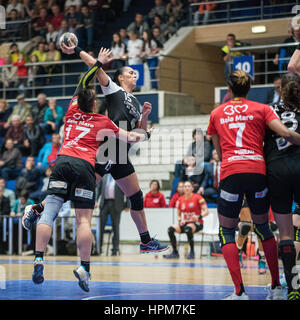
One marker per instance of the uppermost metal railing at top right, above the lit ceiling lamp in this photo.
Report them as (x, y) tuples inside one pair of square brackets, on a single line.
[(230, 13)]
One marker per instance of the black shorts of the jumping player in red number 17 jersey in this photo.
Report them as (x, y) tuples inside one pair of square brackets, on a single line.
[(73, 179)]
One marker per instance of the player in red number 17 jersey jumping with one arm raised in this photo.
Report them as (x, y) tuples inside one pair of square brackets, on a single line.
[(73, 175)]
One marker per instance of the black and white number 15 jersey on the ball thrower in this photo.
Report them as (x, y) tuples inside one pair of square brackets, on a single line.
[(123, 107)]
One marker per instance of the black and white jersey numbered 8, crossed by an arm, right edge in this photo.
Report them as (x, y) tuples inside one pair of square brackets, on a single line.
[(276, 147)]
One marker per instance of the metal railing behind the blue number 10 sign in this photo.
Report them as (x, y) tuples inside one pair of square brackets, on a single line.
[(266, 50)]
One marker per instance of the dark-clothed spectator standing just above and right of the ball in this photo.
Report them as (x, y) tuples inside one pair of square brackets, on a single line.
[(85, 29)]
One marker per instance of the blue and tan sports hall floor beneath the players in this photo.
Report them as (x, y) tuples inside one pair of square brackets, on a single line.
[(129, 277)]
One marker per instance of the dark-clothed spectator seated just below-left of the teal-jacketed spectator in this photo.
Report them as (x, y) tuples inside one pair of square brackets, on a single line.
[(33, 138)]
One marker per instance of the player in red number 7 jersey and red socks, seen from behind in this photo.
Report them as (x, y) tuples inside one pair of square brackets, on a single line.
[(238, 129)]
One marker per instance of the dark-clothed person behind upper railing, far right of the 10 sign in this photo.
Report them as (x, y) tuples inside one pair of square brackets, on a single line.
[(287, 52)]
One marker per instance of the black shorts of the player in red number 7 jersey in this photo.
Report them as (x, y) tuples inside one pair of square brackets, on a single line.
[(233, 188)]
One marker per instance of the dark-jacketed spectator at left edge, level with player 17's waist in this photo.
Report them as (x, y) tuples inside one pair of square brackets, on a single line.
[(11, 161)]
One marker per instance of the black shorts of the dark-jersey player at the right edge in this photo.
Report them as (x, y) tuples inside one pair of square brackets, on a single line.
[(283, 183)]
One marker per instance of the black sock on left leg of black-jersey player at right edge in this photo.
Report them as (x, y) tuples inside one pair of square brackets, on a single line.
[(288, 257)]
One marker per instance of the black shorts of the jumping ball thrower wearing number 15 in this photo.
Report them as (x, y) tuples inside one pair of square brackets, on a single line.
[(117, 171)]
